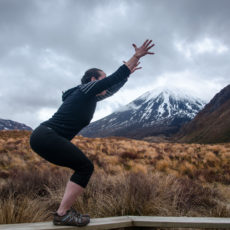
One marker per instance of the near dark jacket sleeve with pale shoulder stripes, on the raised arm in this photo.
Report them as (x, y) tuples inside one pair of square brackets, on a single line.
[(94, 87)]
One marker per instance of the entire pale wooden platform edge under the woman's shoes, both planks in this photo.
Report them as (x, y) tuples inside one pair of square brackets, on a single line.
[(131, 222)]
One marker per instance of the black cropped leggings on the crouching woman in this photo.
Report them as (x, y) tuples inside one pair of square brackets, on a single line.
[(60, 151)]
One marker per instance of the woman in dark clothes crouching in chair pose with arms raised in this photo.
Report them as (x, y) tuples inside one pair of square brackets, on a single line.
[(52, 138)]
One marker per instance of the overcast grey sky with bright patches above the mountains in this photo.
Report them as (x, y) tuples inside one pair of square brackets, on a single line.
[(47, 45)]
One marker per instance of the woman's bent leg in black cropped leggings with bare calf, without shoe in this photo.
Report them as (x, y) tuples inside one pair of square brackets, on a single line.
[(61, 151)]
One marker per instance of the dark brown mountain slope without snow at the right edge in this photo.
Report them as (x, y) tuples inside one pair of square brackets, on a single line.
[(212, 124)]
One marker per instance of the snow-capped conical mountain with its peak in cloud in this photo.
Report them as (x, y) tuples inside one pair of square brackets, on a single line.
[(151, 114)]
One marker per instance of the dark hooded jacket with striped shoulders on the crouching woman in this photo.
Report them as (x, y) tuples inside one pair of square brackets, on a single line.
[(79, 103)]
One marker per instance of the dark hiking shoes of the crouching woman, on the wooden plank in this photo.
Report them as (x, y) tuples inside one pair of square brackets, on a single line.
[(72, 217)]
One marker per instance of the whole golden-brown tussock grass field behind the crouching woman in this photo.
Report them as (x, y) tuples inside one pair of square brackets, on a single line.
[(131, 178)]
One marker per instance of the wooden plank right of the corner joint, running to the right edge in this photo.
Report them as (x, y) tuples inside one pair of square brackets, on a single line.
[(180, 222)]
